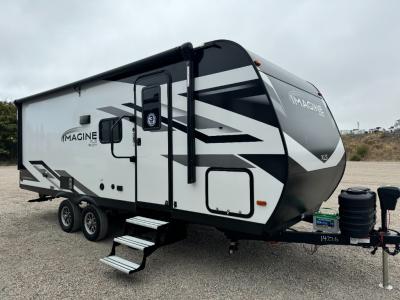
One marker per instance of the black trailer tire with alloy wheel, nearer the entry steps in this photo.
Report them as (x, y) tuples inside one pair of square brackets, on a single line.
[(94, 223)]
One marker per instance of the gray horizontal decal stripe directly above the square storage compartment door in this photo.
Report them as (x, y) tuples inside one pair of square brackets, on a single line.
[(214, 160)]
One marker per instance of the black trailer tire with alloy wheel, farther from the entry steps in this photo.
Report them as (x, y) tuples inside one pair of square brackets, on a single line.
[(69, 216)]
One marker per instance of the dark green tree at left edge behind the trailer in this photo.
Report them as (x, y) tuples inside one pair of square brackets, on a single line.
[(8, 131)]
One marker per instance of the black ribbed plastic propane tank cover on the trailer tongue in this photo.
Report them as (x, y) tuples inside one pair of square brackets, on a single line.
[(357, 212)]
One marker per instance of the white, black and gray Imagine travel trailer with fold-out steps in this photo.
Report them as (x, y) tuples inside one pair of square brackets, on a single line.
[(212, 135)]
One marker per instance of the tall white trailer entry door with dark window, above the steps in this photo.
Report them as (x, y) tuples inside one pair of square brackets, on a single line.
[(152, 132)]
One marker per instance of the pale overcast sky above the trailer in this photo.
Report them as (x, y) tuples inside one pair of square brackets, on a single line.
[(349, 49)]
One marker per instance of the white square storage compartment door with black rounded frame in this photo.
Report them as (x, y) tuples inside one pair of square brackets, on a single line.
[(230, 192)]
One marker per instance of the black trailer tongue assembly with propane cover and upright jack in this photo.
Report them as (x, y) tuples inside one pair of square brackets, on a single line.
[(385, 238)]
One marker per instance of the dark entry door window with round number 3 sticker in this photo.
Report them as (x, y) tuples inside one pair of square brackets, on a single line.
[(151, 98)]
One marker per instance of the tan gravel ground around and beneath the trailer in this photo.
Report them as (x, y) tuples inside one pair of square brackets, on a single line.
[(38, 260)]
